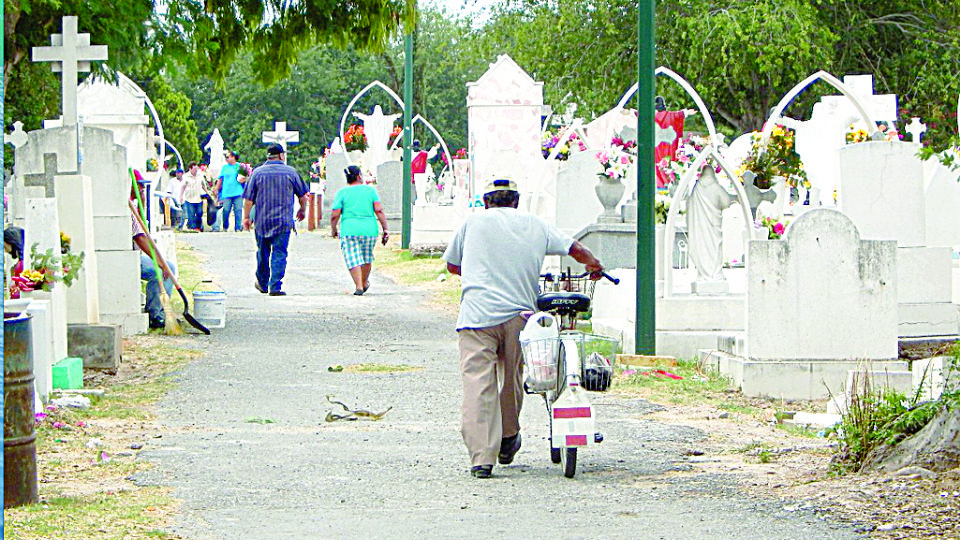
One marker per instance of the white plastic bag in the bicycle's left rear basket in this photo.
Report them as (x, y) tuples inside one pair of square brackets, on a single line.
[(540, 343)]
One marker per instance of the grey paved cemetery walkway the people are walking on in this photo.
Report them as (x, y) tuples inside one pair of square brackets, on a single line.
[(246, 447)]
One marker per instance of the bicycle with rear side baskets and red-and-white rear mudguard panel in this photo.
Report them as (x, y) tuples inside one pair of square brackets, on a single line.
[(562, 364)]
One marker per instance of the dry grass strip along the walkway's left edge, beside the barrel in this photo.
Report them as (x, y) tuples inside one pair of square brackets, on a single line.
[(85, 456)]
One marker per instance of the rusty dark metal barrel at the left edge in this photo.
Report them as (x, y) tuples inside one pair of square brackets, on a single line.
[(19, 440)]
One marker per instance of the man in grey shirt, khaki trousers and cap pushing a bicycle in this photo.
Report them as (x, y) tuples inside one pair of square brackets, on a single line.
[(498, 253)]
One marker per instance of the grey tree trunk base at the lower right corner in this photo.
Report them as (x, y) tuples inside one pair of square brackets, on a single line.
[(935, 447)]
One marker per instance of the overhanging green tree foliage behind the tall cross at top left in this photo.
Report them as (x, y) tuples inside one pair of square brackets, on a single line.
[(204, 36)]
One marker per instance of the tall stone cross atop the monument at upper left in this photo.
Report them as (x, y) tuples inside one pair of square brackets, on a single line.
[(71, 54)]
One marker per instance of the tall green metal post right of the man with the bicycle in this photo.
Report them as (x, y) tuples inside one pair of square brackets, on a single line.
[(646, 323)]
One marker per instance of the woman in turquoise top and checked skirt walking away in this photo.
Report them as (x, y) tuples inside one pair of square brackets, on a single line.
[(354, 215)]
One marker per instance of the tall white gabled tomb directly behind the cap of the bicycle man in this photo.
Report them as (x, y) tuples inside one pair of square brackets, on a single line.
[(503, 117)]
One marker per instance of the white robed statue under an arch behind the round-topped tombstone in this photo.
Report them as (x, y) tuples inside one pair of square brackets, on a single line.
[(705, 209)]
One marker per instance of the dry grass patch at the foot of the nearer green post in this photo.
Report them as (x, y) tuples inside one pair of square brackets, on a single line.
[(697, 385)]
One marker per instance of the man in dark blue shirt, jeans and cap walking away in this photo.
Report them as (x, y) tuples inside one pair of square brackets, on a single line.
[(271, 189)]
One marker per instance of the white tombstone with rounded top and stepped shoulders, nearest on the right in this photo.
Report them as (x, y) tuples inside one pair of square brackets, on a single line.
[(819, 301)]
